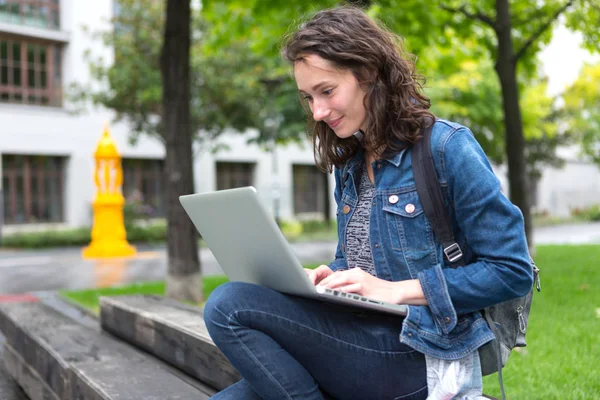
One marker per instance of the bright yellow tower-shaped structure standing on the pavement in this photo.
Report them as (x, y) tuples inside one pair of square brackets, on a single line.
[(108, 232)]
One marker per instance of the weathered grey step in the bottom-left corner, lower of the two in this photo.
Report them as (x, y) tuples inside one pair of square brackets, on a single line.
[(53, 357)]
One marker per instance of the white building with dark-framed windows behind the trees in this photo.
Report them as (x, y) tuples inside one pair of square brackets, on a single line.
[(47, 151)]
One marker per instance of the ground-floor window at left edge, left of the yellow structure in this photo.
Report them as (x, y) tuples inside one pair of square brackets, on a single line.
[(33, 188)]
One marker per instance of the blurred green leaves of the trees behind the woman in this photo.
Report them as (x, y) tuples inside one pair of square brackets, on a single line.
[(236, 48)]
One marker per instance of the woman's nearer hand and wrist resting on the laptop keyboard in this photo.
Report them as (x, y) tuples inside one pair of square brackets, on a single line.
[(357, 281)]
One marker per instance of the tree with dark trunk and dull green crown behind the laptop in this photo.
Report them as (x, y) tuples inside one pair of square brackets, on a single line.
[(151, 84)]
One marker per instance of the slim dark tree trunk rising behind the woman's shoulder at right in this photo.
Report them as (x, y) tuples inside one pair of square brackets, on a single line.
[(515, 140)]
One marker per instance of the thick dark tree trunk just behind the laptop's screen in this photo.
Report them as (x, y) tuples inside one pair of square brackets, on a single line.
[(183, 278)]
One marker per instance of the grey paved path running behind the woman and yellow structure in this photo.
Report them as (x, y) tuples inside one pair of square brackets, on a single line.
[(25, 271)]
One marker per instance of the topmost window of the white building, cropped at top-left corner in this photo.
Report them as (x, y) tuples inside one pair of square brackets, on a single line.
[(38, 13)]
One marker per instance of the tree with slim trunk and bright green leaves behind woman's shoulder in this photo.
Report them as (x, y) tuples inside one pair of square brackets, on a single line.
[(509, 34)]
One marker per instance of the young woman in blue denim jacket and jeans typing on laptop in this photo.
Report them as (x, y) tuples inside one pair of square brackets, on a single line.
[(354, 78)]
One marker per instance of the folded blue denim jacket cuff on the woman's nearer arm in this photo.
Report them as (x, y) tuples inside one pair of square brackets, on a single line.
[(436, 293)]
